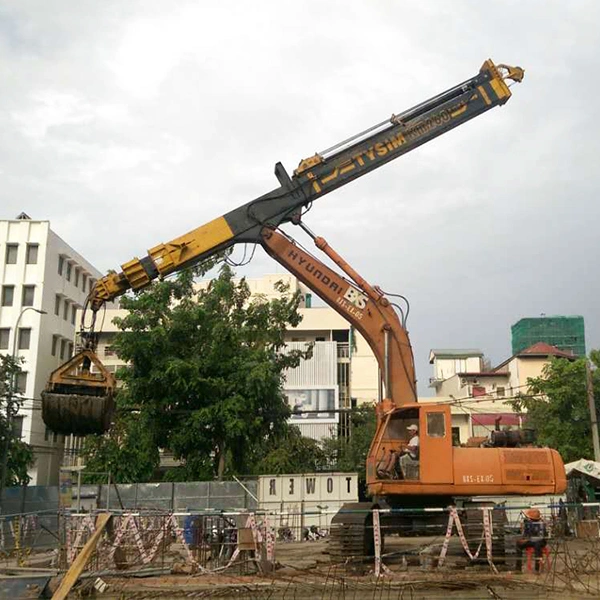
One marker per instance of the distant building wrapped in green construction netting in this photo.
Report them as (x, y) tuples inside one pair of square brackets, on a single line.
[(567, 333)]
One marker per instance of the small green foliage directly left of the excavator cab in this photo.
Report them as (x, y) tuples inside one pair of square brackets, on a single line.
[(349, 453)]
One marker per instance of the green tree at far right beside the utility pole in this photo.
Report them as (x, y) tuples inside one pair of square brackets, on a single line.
[(557, 407)]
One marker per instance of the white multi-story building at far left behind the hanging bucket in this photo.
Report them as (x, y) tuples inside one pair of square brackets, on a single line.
[(39, 270)]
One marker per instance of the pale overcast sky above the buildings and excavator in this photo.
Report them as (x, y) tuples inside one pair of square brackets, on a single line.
[(128, 123)]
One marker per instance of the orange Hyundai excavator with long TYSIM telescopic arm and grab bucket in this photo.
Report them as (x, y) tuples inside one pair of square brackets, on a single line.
[(79, 396)]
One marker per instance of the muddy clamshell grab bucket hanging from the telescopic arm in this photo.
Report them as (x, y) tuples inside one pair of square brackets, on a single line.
[(79, 397)]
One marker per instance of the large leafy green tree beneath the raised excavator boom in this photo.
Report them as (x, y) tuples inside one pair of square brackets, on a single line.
[(205, 373)]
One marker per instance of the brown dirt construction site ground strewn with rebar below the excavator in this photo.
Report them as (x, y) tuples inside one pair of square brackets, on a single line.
[(303, 571)]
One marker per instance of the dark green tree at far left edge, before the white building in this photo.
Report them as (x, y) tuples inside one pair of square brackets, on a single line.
[(20, 454)]
